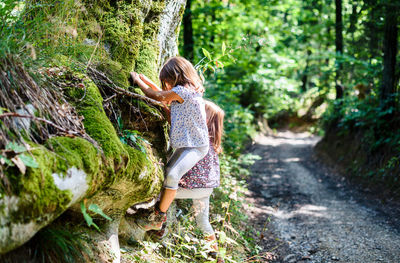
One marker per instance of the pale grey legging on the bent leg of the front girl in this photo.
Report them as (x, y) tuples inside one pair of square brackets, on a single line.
[(181, 161)]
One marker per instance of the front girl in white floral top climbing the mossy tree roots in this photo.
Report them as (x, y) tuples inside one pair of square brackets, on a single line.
[(182, 86)]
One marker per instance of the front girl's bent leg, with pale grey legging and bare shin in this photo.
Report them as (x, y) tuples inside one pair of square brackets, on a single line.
[(180, 163)]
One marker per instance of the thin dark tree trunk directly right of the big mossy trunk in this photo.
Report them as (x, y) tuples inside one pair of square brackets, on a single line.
[(188, 42)]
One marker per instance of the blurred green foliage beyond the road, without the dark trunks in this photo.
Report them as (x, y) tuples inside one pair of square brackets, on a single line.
[(282, 57)]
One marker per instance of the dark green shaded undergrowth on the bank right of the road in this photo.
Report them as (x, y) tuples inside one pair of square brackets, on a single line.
[(375, 128)]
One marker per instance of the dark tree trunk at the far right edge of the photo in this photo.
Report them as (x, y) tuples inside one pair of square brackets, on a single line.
[(388, 88)]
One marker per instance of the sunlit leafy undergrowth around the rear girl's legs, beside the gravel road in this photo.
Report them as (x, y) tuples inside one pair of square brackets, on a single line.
[(184, 241)]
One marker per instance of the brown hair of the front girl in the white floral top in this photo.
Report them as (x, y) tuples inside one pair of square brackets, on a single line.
[(179, 71)]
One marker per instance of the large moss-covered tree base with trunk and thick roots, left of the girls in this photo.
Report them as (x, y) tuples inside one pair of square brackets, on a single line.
[(125, 36)]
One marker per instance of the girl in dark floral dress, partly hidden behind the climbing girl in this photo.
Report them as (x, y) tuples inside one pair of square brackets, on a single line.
[(198, 182)]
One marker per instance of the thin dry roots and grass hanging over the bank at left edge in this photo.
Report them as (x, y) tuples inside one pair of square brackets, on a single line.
[(39, 111)]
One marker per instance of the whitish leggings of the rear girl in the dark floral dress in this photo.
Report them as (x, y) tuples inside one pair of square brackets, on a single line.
[(201, 206)]
